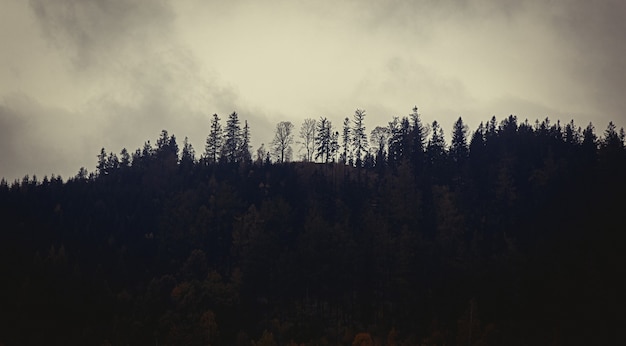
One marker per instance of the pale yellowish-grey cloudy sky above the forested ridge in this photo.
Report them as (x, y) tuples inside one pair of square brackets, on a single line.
[(79, 75)]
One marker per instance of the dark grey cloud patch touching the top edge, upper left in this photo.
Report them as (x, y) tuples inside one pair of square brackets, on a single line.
[(95, 31)]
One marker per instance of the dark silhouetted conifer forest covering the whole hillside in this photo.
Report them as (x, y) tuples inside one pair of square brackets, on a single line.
[(512, 234)]
